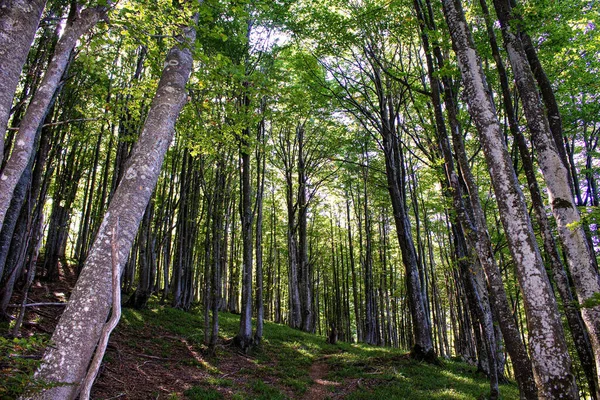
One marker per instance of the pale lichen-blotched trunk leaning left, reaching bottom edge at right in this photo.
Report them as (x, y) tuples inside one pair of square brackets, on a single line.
[(552, 364)]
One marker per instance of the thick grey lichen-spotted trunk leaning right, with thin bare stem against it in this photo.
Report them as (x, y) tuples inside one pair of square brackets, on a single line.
[(79, 328)]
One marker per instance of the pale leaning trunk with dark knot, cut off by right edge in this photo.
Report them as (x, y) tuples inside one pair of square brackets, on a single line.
[(580, 257)]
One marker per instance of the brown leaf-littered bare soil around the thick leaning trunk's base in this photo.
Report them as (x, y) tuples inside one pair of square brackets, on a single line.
[(139, 366)]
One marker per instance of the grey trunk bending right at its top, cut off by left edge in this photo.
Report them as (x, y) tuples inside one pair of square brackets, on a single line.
[(37, 109)]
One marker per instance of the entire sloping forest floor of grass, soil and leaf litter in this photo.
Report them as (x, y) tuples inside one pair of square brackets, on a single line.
[(158, 353)]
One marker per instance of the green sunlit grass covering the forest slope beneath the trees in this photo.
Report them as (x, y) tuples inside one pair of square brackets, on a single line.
[(286, 355)]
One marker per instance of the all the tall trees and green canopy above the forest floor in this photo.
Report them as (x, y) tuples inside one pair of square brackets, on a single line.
[(420, 175)]
